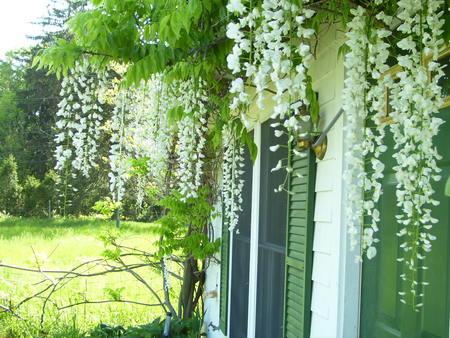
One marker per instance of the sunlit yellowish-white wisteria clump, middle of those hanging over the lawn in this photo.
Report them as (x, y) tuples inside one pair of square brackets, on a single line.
[(140, 130)]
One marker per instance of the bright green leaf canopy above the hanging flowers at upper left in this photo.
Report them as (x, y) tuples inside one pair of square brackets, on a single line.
[(150, 36)]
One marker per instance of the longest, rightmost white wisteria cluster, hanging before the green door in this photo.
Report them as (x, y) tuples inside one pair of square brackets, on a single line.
[(415, 101)]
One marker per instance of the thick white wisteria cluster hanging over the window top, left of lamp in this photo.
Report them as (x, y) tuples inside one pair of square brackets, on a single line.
[(271, 53)]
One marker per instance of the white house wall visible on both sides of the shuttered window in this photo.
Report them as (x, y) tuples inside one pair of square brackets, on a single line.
[(326, 321)]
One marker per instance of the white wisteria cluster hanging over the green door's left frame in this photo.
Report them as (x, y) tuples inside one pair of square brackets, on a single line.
[(364, 106)]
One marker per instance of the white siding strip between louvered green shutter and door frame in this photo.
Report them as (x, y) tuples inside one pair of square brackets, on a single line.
[(328, 74)]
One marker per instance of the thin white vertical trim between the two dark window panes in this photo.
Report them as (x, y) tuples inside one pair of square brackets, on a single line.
[(254, 237)]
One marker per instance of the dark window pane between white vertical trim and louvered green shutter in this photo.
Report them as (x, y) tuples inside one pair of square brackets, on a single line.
[(272, 238)]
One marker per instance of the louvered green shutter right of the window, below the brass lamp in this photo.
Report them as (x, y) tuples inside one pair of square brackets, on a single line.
[(299, 242)]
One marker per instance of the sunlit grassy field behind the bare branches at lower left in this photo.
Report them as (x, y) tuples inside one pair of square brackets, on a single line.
[(63, 244)]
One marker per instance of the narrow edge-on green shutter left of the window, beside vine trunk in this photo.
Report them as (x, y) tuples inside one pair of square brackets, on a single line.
[(224, 272)]
